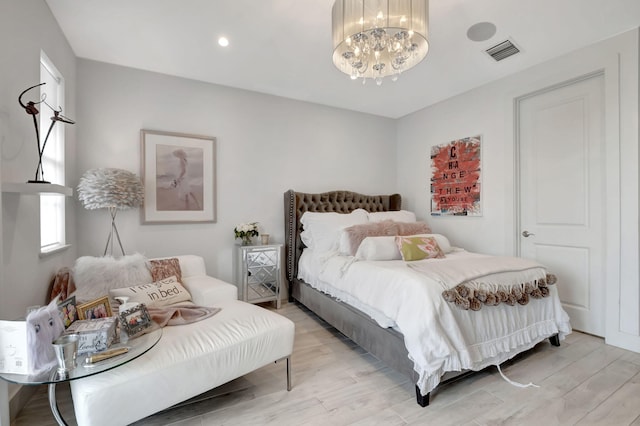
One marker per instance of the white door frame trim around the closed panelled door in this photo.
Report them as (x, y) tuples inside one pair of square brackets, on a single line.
[(612, 197)]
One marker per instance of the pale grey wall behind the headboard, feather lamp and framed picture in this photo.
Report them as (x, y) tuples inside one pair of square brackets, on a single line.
[(265, 146)]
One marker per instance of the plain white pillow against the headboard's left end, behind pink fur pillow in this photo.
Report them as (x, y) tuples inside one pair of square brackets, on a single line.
[(321, 231)]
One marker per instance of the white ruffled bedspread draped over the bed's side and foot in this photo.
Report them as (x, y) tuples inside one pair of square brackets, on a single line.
[(438, 336)]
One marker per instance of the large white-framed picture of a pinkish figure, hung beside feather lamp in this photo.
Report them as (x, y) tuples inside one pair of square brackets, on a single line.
[(179, 177)]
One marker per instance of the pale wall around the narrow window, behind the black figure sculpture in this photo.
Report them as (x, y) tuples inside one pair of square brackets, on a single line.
[(26, 27)]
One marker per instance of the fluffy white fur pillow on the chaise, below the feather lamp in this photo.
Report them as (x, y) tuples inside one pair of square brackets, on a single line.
[(95, 276)]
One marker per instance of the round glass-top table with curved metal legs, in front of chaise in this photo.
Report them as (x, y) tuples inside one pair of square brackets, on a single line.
[(137, 347)]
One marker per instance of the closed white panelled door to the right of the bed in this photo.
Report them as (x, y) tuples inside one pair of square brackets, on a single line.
[(562, 179)]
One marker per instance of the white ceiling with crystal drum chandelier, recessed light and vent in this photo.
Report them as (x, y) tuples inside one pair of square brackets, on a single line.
[(283, 47)]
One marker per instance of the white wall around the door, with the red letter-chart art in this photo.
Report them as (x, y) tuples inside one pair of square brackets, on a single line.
[(489, 111)]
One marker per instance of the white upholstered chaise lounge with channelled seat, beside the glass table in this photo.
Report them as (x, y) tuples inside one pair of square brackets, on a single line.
[(189, 359)]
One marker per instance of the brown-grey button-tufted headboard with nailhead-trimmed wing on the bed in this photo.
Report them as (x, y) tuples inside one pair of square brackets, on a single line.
[(296, 203)]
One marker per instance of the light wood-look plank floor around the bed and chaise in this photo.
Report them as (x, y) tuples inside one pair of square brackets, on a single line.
[(336, 383)]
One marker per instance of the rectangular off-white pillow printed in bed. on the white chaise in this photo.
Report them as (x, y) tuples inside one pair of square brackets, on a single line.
[(155, 295)]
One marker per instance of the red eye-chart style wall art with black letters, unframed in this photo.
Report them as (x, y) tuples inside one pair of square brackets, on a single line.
[(455, 178)]
